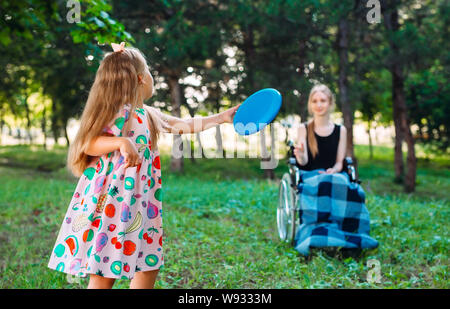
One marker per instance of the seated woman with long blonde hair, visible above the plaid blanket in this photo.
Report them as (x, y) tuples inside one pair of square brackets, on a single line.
[(321, 144)]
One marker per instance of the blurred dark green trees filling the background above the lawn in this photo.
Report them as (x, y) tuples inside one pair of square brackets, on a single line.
[(207, 55)]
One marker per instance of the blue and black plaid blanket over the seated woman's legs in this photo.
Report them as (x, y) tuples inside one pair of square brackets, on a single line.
[(332, 213)]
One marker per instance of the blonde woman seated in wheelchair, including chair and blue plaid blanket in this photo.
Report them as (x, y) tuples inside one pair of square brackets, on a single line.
[(321, 204)]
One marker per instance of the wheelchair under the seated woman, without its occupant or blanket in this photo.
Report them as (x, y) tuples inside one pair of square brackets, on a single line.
[(288, 219)]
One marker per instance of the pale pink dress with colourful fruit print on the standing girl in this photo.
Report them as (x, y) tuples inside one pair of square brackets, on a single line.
[(113, 226)]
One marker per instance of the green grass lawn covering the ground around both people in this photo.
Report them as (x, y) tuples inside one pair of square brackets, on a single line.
[(220, 228)]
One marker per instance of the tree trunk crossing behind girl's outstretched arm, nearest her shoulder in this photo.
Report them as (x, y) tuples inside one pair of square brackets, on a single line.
[(176, 160)]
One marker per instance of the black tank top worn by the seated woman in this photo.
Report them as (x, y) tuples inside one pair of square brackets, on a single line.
[(327, 145)]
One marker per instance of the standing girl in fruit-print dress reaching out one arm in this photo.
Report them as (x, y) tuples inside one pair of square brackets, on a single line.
[(113, 226)]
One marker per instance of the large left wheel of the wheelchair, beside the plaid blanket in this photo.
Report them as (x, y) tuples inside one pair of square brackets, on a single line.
[(286, 214)]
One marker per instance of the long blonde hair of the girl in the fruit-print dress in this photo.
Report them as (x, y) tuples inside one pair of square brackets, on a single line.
[(116, 83)]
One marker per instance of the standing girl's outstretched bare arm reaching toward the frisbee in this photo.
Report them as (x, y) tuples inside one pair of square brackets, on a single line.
[(196, 124)]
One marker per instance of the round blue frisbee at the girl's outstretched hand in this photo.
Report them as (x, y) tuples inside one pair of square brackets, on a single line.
[(257, 111)]
